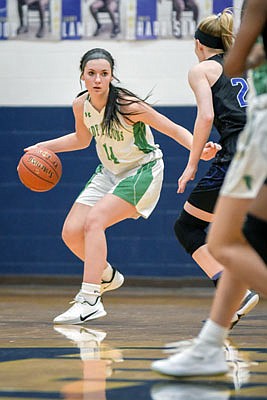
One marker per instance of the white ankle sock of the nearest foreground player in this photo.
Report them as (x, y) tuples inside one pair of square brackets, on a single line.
[(213, 333)]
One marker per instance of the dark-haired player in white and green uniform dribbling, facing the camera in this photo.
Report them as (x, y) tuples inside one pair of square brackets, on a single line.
[(126, 184)]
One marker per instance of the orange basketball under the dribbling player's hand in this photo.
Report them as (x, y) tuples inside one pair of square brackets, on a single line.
[(39, 169)]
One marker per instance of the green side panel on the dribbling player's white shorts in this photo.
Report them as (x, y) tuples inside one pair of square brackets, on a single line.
[(134, 187)]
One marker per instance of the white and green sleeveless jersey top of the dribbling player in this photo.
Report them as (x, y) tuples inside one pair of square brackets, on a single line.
[(124, 147)]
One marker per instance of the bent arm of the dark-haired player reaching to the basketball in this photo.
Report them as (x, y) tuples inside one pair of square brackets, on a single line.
[(77, 140)]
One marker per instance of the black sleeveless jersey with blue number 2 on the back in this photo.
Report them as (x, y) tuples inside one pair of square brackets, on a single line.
[(229, 103)]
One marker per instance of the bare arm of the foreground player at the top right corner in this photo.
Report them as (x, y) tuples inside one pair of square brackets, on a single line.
[(237, 60)]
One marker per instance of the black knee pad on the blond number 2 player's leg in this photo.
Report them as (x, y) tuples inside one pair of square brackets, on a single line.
[(190, 231)]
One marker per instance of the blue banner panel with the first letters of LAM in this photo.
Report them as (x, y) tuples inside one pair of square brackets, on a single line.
[(71, 23)]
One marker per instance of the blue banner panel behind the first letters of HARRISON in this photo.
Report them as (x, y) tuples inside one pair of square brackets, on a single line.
[(146, 19)]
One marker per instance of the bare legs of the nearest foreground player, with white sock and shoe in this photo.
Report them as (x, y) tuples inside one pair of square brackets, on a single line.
[(244, 269)]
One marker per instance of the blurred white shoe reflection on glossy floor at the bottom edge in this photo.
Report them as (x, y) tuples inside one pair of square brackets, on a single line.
[(189, 391)]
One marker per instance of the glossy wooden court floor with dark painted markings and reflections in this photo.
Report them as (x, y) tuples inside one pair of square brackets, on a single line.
[(109, 358)]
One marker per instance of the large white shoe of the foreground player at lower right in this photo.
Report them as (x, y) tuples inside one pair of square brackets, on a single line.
[(197, 360)]
